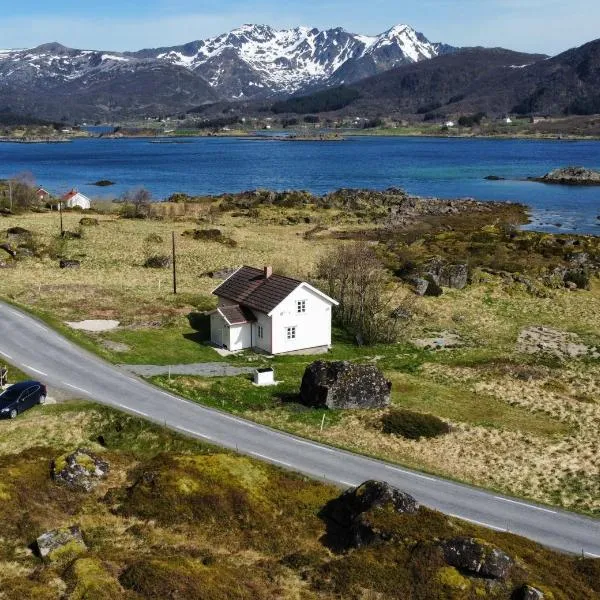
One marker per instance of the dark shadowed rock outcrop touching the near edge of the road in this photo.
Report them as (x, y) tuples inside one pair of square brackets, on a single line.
[(353, 516)]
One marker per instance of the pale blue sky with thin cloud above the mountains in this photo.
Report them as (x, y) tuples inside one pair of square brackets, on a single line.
[(548, 26)]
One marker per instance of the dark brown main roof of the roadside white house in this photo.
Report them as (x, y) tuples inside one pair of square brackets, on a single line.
[(249, 287)]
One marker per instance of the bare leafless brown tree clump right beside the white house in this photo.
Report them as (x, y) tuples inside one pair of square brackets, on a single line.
[(354, 276)]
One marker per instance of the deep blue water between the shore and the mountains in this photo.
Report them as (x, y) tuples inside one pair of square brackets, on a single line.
[(447, 168)]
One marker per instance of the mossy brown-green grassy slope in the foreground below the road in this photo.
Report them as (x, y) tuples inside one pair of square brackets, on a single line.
[(176, 518)]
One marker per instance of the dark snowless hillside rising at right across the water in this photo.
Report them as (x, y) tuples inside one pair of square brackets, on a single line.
[(492, 81)]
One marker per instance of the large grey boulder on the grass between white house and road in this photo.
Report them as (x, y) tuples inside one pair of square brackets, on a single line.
[(344, 385)]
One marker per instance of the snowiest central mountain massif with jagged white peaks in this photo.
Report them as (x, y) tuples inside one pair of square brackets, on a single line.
[(257, 60)]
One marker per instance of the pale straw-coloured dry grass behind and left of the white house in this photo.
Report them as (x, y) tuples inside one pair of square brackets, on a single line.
[(112, 281)]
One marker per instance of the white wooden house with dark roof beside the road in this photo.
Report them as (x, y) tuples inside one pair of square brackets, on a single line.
[(278, 315)]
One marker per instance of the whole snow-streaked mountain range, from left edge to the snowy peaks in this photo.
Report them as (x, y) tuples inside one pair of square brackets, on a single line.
[(251, 62)]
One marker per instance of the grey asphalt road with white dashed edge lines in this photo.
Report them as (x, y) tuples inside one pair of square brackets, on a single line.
[(42, 353)]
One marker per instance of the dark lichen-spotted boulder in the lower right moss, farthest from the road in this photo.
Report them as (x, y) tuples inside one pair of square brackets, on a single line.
[(477, 558)]
